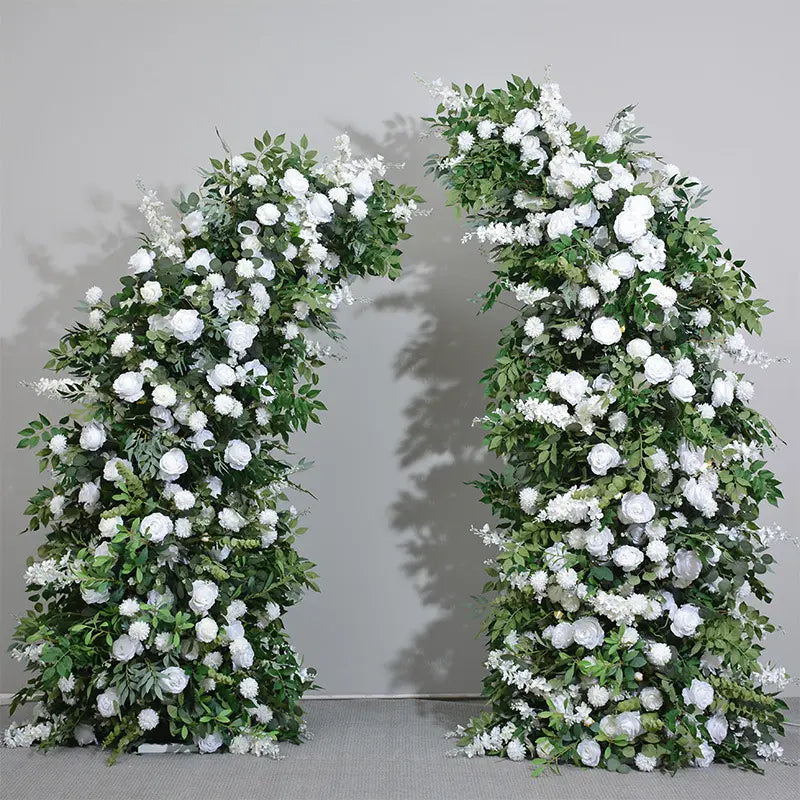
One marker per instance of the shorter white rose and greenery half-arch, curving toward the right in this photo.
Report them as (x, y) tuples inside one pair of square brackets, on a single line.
[(170, 556)]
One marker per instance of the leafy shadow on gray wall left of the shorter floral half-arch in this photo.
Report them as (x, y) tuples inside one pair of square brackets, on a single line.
[(103, 247)]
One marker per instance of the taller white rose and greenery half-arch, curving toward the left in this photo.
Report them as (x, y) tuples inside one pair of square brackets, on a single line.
[(621, 625)]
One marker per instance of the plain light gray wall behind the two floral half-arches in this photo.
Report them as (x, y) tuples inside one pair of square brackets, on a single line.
[(97, 93)]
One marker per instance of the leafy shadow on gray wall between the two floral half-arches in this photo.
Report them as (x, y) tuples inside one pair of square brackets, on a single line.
[(440, 449)]
